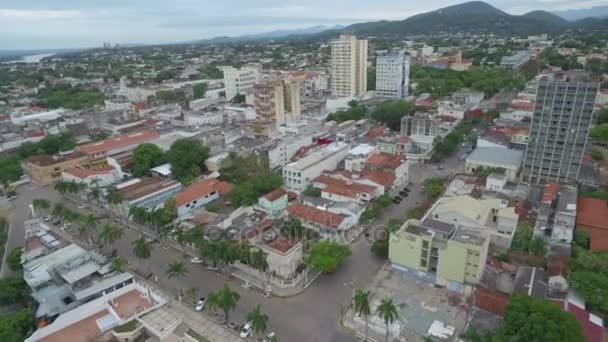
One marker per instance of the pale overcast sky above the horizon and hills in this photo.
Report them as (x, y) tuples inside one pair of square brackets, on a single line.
[(33, 24)]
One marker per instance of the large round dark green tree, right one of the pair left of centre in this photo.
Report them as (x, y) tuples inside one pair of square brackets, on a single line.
[(187, 158)]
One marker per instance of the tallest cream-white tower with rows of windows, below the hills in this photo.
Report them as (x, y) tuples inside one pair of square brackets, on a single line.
[(348, 66)]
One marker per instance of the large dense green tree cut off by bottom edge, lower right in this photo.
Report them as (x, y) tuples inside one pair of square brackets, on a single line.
[(531, 319)]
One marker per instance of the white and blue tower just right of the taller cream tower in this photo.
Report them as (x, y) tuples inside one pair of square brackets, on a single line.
[(393, 75)]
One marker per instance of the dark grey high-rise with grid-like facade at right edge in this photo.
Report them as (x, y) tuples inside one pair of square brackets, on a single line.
[(560, 126)]
